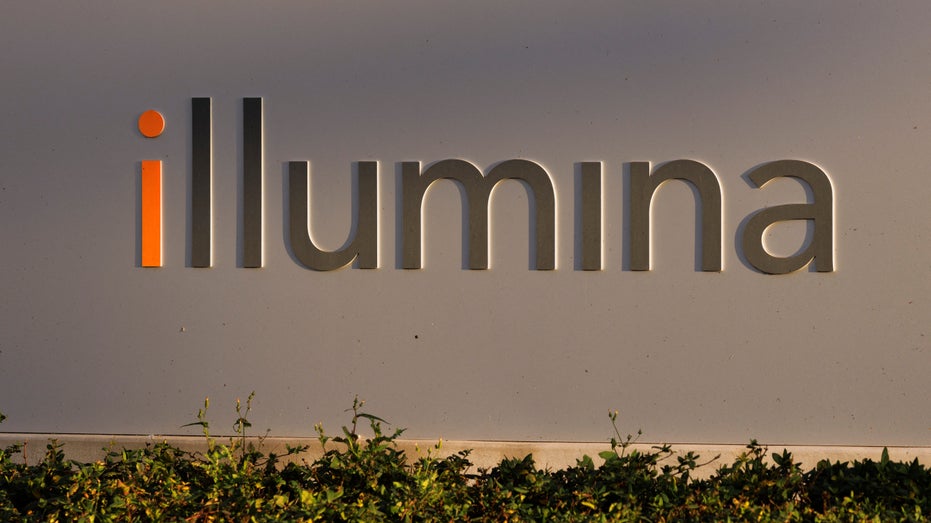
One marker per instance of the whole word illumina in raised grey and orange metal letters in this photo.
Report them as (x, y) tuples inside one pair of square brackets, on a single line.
[(478, 187)]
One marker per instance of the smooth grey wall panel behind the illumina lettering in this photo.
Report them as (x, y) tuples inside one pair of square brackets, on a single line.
[(94, 343)]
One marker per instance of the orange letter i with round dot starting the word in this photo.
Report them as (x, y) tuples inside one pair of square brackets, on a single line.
[(151, 125)]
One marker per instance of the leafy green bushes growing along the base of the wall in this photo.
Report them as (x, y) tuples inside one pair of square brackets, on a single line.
[(369, 479)]
